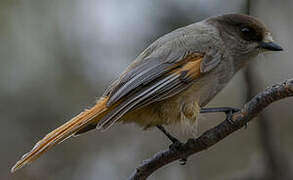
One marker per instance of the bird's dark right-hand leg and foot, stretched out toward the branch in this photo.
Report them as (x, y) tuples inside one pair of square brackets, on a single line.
[(229, 111)]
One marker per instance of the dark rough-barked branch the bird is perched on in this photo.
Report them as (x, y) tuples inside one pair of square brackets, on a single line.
[(216, 134)]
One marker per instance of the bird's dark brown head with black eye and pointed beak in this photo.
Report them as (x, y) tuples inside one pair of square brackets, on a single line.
[(244, 34)]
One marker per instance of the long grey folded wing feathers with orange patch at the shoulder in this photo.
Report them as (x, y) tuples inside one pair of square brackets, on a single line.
[(153, 86)]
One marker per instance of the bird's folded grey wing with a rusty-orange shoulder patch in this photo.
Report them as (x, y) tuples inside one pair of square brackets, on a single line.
[(150, 81)]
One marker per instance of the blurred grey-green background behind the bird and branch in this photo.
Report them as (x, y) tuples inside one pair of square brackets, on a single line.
[(58, 56)]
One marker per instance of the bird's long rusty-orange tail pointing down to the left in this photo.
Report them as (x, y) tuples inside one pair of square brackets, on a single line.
[(65, 131)]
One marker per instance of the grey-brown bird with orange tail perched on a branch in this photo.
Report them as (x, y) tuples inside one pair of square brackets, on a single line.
[(172, 80)]
